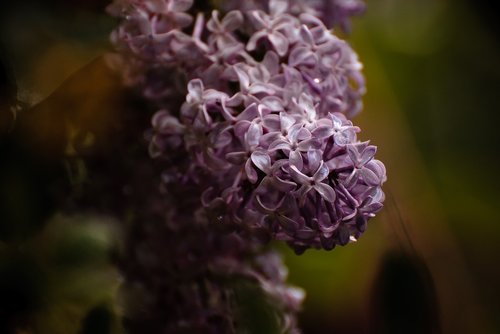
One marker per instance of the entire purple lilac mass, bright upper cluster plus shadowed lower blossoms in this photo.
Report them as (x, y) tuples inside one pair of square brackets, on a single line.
[(255, 137)]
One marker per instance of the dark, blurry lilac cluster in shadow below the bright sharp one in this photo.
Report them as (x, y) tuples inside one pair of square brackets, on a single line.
[(186, 279)]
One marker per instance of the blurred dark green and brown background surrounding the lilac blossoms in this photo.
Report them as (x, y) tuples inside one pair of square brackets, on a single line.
[(428, 263)]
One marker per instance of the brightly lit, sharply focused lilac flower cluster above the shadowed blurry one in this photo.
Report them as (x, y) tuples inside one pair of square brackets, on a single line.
[(266, 118)]
